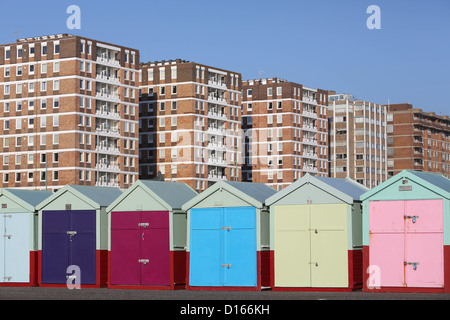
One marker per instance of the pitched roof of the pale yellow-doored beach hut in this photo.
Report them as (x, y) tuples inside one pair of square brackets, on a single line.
[(346, 189)]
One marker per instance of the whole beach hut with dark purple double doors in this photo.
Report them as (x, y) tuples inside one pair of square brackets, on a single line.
[(73, 236)]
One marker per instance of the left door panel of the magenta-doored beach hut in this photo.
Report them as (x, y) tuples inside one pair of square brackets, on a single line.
[(125, 248)]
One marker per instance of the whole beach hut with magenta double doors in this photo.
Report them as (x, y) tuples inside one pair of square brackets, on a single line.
[(147, 243)]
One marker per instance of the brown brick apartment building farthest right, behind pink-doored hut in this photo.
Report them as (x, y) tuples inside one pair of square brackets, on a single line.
[(417, 140)]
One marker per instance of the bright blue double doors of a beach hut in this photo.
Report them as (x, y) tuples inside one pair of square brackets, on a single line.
[(223, 247)]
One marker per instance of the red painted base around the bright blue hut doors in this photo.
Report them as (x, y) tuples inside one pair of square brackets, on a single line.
[(262, 278)]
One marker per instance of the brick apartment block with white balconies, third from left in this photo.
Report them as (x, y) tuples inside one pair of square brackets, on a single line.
[(285, 131)]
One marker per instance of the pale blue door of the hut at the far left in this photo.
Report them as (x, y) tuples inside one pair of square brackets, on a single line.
[(16, 247)]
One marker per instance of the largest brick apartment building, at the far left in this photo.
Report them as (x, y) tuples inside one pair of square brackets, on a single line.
[(68, 113)]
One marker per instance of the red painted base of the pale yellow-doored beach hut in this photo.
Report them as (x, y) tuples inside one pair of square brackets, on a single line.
[(354, 275)]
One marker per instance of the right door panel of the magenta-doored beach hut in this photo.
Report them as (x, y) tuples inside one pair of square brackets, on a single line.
[(155, 252)]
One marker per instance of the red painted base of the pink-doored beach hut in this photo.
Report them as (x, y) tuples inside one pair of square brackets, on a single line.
[(445, 289)]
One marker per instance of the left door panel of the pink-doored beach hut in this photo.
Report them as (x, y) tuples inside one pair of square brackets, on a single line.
[(386, 241)]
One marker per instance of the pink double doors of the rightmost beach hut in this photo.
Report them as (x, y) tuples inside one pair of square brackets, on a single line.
[(406, 242)]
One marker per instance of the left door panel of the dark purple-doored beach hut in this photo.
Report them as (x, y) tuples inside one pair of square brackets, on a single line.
[(55, 246)]
